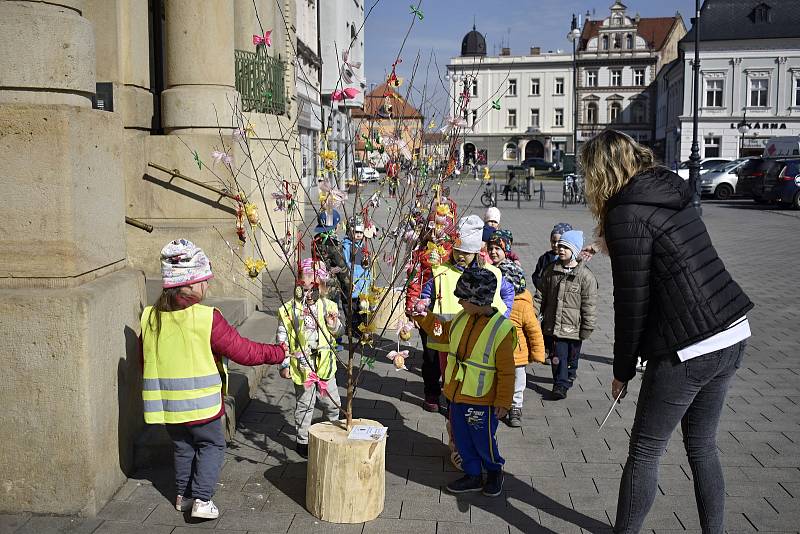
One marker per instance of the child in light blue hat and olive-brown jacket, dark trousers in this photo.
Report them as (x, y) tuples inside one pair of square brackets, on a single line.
[(566, 297)]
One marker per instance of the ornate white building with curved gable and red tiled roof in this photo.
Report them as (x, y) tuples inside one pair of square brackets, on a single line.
[(618, 59)]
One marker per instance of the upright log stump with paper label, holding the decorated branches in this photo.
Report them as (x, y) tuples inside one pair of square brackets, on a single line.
[(346, 479)]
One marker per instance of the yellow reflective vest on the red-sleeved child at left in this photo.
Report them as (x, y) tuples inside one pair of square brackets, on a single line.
[(181, 380)]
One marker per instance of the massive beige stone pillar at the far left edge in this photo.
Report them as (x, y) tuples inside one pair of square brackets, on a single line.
[(69, 304)]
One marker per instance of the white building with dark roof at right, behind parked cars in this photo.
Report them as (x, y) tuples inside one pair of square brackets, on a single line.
[(749, 74)]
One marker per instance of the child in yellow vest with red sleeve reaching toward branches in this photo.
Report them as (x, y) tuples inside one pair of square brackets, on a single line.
[(185, 376)]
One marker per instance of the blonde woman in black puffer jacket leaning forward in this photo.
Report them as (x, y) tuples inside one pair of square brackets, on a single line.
[(675, 306)]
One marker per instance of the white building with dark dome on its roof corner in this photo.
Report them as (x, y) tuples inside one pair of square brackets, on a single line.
[(534, 93)]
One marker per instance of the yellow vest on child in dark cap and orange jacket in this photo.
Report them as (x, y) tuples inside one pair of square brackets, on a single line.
[(477, 372)]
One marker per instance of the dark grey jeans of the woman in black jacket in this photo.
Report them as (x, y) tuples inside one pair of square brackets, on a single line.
[(692, 393)]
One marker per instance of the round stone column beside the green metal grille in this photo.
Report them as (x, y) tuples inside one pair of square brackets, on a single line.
[(201, 94)]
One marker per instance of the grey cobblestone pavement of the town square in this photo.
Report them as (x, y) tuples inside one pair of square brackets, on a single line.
[(562, 474)]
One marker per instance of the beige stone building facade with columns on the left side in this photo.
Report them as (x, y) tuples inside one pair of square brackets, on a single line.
[(92, 94)]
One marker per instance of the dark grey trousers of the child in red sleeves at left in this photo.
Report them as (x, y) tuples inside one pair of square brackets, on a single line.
[(199, 453)]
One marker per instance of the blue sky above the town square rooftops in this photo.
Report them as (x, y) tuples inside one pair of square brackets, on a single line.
[(519, 24)]
